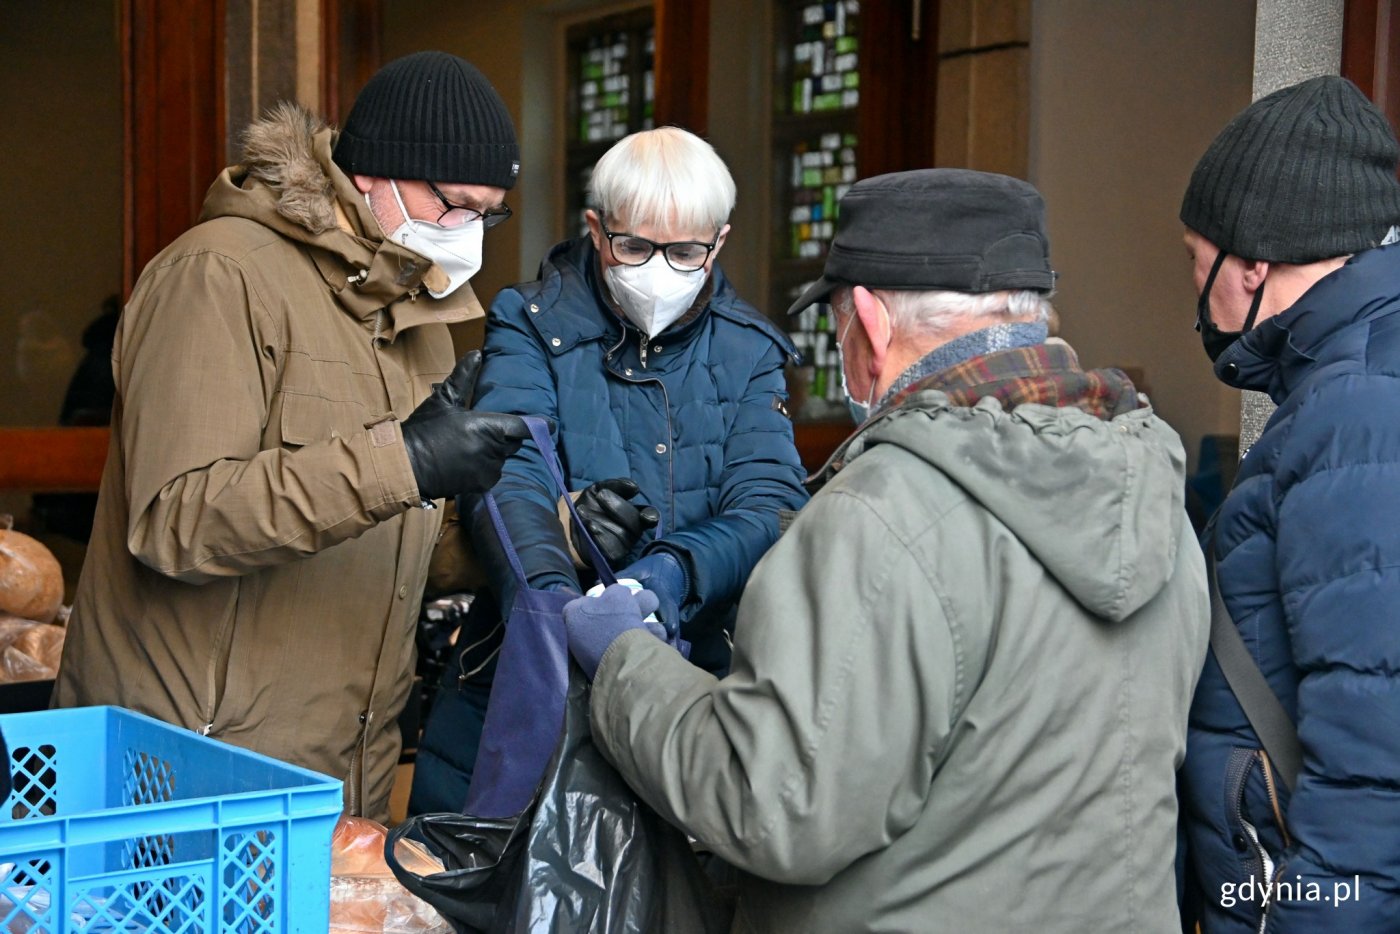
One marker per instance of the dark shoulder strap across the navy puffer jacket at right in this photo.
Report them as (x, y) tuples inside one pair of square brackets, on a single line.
[(1266, 715)]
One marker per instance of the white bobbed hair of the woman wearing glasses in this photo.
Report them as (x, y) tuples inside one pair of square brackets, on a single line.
[(666, 179)]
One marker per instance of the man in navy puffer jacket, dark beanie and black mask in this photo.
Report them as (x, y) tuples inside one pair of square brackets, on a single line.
[(1291, 225)]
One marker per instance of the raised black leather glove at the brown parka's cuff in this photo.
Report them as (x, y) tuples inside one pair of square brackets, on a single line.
[(453, 449)]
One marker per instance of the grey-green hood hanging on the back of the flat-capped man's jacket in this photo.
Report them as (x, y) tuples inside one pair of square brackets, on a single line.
[(1101, 505)]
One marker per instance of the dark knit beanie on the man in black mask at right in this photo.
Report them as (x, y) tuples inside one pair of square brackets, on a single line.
[(1304, 174)]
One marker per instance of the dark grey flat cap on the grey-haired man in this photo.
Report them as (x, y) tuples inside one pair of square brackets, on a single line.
[(937, 229)]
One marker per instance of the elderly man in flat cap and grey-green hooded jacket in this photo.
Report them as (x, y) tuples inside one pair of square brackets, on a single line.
[(961, 678)]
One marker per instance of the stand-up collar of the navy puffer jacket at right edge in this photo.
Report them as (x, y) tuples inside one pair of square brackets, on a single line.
[(1331, 321)]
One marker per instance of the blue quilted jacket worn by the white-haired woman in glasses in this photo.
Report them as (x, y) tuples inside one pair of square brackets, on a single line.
[(695, 417)]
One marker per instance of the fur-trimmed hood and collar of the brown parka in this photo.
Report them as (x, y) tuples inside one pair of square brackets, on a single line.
[(289, 184)]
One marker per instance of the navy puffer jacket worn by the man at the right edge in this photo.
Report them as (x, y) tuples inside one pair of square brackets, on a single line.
[(1310, 568)]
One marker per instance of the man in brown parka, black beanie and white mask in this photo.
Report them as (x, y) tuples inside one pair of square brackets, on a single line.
[(265, 519)]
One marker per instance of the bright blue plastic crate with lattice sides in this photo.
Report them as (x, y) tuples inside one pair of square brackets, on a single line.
[(120, 823)]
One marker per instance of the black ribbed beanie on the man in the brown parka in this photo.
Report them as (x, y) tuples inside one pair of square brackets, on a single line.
[(430, 117)]
